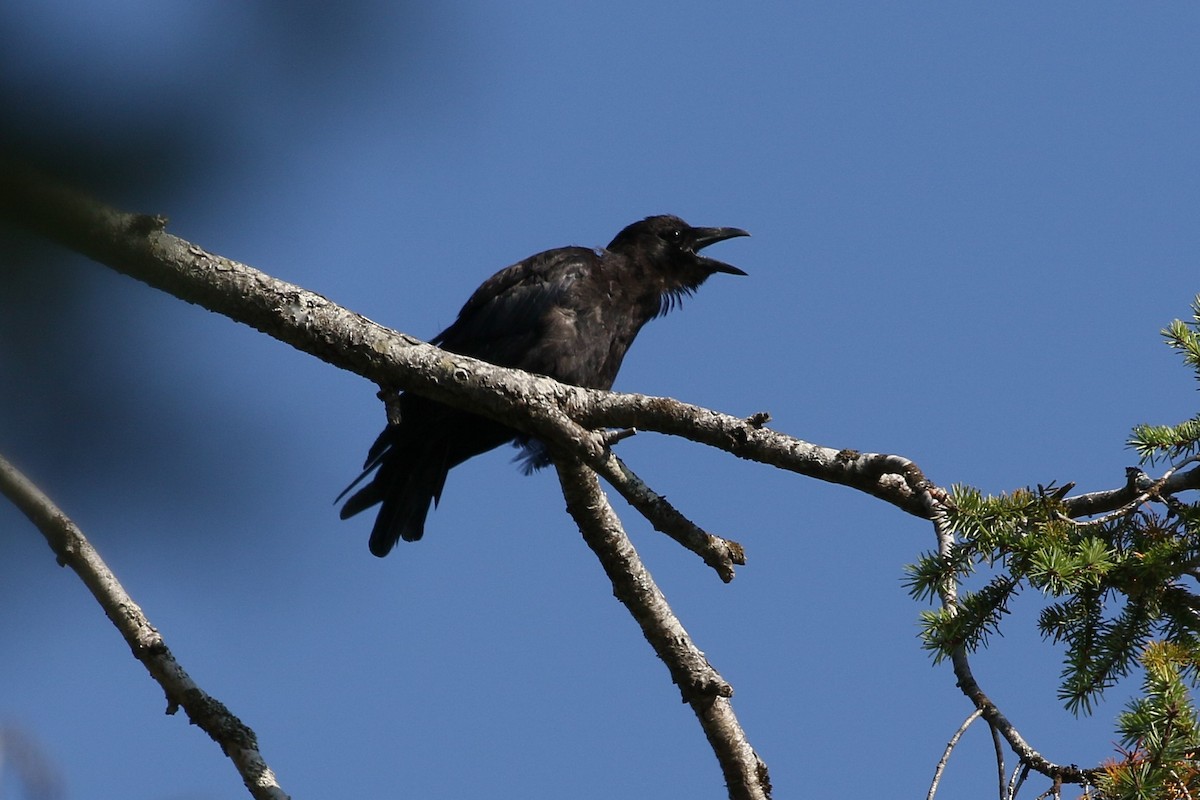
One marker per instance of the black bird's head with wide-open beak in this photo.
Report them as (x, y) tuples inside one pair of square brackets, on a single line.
[(670, 248)]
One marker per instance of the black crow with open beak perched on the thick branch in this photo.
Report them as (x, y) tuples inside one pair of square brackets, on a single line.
[(568, 314)]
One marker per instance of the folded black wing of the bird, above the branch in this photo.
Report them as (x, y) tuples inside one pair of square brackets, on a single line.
[(508, 315)]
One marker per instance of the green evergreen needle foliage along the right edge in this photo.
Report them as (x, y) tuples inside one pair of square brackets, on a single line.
[(1123, 590)]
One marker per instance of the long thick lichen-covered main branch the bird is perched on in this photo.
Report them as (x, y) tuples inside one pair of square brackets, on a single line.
[(567, 417)]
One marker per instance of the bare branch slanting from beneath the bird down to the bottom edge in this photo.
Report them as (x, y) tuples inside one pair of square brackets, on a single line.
[(703, 688)]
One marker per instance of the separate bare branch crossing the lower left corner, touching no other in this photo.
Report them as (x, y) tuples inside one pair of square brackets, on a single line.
[(73, 550)]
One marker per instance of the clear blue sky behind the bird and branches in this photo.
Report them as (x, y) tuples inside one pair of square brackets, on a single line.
[(969, 226)]
